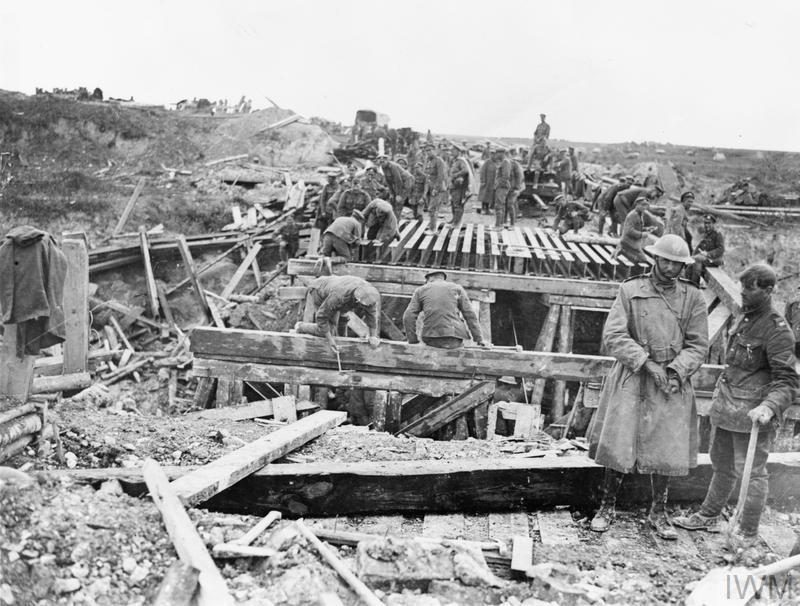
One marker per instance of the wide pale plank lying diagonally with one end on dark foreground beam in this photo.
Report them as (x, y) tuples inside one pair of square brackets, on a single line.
[(218, 475)]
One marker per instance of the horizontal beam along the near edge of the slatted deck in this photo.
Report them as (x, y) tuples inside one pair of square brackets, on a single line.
[(468, 279)]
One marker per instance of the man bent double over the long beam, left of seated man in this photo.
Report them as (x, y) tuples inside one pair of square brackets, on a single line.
[(330, 296)]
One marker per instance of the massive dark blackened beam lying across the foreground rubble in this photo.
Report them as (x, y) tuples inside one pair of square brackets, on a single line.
[(463, 485)]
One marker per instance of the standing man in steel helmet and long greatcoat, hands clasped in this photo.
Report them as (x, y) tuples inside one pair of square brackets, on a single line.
[(657, 330)]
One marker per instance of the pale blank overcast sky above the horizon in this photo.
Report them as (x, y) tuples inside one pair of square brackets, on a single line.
[(694, 72)]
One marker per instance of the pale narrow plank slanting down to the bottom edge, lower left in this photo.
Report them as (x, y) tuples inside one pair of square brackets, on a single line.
[(187, 542)]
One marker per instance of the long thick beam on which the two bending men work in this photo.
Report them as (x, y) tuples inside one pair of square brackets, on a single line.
[(247, 348)]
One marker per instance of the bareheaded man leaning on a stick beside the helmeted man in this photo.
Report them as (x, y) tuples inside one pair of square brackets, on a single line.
[(757, 385)]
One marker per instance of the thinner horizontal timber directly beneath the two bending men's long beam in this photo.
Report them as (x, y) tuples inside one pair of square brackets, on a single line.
[(298, 375)]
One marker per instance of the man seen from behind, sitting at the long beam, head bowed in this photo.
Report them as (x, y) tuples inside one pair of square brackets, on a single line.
[(446, 306)]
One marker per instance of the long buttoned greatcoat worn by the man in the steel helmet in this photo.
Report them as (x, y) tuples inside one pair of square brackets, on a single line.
[(638, 427)]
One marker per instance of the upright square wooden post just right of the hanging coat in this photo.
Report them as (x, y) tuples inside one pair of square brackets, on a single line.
[(76, 306)]
